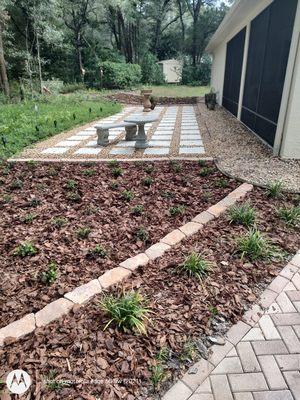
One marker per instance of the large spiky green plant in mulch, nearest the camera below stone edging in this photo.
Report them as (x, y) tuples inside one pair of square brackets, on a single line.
[(129, 311)]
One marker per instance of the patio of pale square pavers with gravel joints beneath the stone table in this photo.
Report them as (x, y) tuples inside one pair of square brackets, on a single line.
[(175, 134)]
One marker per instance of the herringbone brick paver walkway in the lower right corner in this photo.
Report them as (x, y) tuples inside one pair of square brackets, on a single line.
[(261, 356)]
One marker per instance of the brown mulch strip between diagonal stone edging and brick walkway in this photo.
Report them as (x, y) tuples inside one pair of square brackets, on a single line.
[(78, 350)]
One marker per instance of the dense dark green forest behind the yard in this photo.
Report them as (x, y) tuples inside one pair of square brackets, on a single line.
[(73, 40)]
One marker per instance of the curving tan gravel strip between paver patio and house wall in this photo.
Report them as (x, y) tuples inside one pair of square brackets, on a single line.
[(241, 154)]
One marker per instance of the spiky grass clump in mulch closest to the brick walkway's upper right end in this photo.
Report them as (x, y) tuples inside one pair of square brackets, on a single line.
[(255, 246)]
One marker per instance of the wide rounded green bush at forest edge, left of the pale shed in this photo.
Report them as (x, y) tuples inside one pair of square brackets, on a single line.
[(120, 75)]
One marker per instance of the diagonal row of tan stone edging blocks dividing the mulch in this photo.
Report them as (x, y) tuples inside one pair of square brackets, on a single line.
[(84, 293)]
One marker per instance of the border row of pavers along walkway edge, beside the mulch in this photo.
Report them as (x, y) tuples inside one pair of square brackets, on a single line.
[(184, 388)]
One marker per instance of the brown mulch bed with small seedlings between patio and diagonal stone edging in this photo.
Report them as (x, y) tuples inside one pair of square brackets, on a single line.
[(42, 190)]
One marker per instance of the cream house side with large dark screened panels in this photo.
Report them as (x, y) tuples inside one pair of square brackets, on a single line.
[(256, 70)]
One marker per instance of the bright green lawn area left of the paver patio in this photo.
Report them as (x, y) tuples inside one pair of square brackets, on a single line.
[(28, 122)]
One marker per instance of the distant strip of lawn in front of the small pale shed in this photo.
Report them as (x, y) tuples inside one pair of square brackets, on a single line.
[(179, 90)]
